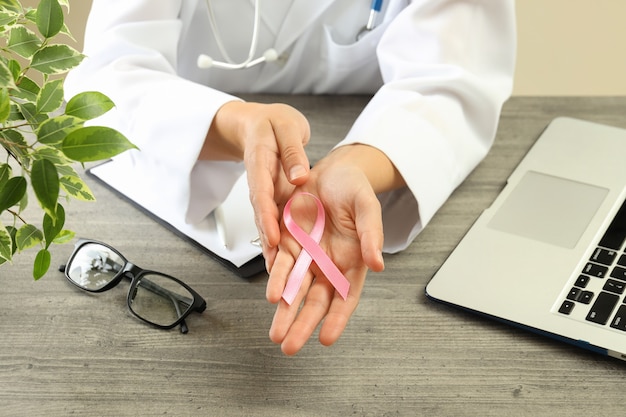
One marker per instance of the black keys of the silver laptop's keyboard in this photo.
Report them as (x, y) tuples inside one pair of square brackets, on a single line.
[(604, 300)]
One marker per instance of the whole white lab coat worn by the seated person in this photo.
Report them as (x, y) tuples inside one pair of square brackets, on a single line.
[(440, 71)]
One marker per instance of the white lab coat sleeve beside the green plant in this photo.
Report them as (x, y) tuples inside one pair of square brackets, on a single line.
[(131, 56)]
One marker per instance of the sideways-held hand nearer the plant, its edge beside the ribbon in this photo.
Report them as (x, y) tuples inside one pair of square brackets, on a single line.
[(270, 139)]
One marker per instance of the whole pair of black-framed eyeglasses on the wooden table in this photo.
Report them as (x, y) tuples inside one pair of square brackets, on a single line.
[(156, 298)]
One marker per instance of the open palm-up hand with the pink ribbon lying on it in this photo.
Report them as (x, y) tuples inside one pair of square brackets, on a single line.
[(346, 182)]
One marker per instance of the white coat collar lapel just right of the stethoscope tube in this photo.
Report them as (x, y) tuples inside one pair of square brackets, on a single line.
[(301, 14)]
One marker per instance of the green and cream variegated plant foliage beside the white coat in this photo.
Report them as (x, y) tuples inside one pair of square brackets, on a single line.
[(42, 137)]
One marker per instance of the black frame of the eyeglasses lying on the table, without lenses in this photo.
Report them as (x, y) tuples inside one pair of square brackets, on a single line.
[(135, 273)]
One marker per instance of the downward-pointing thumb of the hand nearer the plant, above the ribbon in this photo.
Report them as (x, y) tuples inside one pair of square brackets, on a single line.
[(292, 135)]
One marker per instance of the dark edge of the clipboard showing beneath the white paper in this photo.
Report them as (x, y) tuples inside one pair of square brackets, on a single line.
[(249, 269)]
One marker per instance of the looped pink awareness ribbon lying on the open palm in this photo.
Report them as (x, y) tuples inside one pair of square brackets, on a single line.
[(311, 251)]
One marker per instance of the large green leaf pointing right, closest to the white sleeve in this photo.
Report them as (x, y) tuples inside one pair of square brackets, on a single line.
[(95, 143)]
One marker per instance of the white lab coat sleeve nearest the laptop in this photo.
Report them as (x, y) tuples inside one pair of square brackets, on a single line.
[(447, 68)]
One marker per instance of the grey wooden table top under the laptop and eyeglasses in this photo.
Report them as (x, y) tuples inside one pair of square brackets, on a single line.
[(64, 352)]
